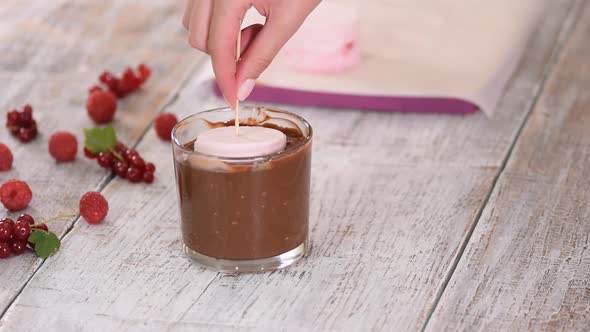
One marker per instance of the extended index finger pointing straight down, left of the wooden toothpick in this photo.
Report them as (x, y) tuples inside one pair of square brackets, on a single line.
[(223, 33)]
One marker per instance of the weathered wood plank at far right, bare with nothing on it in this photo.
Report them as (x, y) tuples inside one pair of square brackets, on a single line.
[(527, 266)]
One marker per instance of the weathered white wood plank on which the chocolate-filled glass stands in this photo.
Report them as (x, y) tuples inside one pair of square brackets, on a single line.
[(388, 219)]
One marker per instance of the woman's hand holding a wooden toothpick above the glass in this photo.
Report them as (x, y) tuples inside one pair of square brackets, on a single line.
[(214, 25)]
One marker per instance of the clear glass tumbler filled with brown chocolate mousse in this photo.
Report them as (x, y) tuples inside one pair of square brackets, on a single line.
[(244, 214)]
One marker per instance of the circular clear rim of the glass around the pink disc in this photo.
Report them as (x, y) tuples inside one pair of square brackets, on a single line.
[(262, 158)]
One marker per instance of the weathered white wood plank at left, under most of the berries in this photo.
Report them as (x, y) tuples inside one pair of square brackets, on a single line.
[(51, 52)]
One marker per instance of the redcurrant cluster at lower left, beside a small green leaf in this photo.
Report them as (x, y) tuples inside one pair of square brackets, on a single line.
[(14, 236)]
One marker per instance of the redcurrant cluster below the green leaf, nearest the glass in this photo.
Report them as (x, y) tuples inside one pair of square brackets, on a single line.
[(124, 162)]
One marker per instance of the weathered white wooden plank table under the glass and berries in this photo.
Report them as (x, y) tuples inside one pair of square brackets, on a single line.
[(440, 223)]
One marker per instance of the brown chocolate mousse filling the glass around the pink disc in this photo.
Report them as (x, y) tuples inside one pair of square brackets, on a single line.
[(238, 210)]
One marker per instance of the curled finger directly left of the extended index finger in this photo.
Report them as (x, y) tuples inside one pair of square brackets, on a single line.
[(198, 25)]
